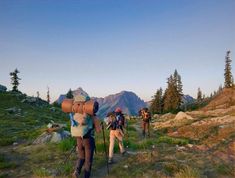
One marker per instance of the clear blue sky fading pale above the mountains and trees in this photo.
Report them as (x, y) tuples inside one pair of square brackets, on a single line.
[(109, 46)]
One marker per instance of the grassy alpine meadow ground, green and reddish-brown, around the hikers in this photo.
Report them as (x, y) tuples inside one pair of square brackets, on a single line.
[(177, 152)]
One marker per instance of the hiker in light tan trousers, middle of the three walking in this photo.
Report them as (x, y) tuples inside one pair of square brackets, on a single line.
[(116, 124)]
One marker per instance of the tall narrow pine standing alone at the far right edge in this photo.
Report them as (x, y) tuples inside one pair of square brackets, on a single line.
[(227, 72)]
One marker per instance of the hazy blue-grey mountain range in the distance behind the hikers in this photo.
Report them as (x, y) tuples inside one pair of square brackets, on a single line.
[(128, 101)]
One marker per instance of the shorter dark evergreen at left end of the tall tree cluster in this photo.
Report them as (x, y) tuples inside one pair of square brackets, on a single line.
[(157, 102)]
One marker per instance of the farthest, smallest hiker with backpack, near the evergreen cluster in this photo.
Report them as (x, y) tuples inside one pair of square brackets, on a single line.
[(146, 117)]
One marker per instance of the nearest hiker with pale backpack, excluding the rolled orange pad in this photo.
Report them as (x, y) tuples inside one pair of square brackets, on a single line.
[(83, 128)]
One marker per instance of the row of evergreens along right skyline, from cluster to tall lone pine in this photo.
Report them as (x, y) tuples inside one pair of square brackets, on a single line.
[(170, 100)]
